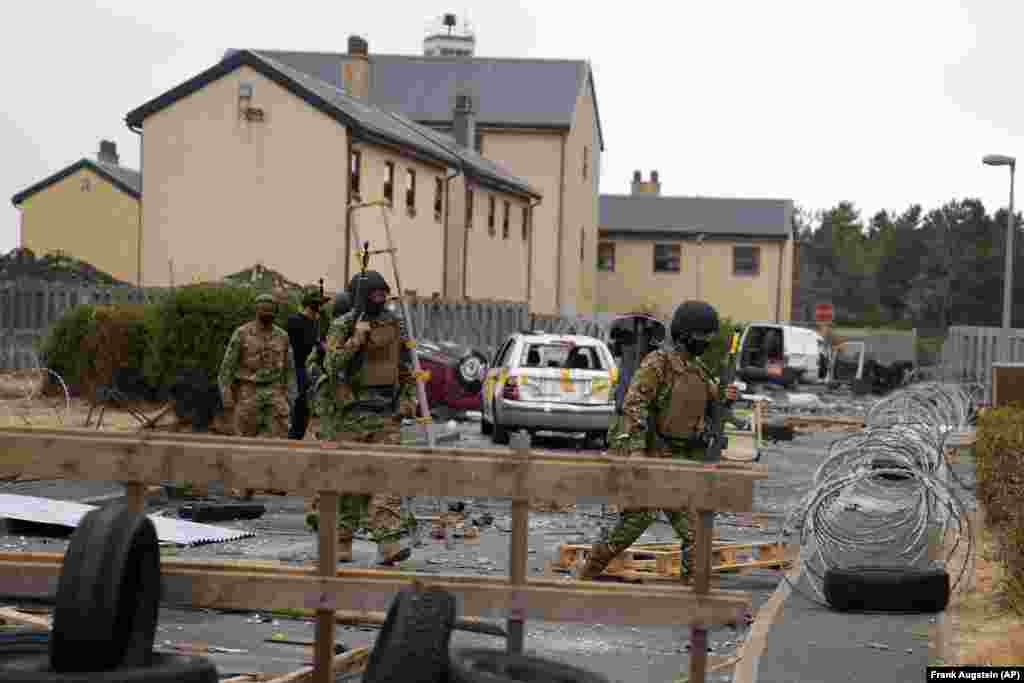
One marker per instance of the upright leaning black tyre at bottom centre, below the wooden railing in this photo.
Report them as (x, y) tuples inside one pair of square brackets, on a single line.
[(413, 645)]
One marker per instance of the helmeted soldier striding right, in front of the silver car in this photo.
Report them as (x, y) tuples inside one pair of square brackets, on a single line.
[(663, 417)]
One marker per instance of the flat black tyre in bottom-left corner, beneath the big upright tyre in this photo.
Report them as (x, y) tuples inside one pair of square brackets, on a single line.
[(163, 669)]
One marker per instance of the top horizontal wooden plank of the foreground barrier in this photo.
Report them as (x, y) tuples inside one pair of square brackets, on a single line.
[(281, 464)]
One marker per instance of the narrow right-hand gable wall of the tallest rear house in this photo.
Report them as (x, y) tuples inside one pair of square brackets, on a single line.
[(582, 209)]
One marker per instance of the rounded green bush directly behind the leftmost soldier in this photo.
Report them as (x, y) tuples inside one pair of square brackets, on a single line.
[(191, 327)]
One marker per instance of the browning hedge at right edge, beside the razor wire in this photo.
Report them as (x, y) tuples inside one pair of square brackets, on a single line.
[(1000, 453)]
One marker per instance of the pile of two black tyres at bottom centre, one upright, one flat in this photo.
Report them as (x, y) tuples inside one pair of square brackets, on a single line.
[(414, 648)]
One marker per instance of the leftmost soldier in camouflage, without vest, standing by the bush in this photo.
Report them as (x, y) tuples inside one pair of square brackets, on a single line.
[(258, 376)]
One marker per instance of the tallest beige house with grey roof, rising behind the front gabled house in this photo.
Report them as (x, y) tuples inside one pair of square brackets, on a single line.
[(537, 118)]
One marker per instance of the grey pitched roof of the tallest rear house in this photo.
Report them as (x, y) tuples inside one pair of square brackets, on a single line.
[(509, 93)]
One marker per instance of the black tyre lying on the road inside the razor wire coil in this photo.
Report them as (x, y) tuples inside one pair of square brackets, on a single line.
[(887, 589)]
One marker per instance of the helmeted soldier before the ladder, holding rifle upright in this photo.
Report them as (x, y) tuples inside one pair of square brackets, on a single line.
[(366, 388)]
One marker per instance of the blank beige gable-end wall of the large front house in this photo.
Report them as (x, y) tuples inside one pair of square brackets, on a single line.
[(224, 194)]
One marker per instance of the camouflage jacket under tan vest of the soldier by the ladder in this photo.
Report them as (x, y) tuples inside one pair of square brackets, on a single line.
[(336, 386)]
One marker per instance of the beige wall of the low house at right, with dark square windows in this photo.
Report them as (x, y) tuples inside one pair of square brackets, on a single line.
[(706, 273)]
